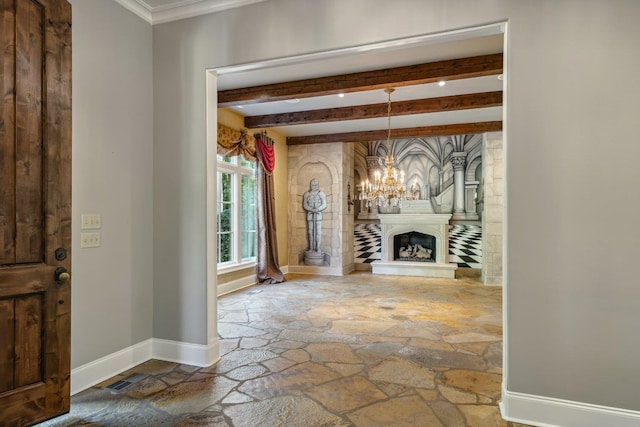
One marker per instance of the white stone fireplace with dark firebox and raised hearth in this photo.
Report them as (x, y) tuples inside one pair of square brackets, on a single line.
[(424, 233)]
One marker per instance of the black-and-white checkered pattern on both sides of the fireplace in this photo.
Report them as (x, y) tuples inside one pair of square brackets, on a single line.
[(465, 244)]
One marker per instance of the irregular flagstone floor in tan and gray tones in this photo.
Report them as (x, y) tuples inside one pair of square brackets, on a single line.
[(358, 350)]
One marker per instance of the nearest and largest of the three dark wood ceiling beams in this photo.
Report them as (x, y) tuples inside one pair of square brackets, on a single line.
[(451, 69)]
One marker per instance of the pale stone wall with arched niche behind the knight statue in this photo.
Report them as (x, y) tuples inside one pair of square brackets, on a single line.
[(332, 165)]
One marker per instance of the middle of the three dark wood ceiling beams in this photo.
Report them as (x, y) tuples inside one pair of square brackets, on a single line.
[(400, 108)]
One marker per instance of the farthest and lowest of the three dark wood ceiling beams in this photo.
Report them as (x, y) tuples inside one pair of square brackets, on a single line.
[(377, 135)]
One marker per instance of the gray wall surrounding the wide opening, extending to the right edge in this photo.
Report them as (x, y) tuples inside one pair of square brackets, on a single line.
[(572, 91)]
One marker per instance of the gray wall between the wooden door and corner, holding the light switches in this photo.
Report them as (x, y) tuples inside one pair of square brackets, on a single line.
[(112, 175)]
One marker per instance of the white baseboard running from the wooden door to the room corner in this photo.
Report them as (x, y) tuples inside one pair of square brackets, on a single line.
[(92, 373)]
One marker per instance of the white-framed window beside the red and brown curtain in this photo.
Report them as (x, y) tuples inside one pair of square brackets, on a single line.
[(236, 211)]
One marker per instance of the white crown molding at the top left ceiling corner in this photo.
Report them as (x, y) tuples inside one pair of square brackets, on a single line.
[(180, 9)]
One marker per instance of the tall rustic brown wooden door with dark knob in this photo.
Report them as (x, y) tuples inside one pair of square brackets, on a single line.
[(35, 210)]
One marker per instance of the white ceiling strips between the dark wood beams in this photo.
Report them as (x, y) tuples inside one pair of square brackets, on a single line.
[(372, 58)]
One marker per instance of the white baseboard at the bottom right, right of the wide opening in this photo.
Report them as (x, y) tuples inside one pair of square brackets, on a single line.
[(549, 412)]
